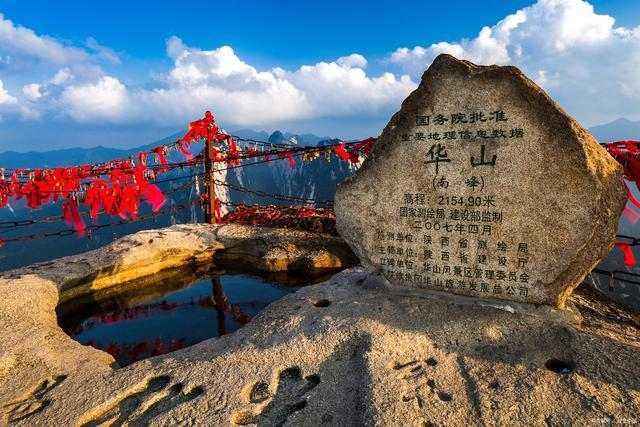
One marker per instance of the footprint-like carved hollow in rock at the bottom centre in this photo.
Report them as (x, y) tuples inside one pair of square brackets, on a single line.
[(291, 394)]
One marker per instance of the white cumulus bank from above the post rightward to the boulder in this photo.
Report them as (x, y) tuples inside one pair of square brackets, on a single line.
[(241, 95)]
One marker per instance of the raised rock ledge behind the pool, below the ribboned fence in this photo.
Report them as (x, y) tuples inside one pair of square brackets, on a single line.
[(148, 252)]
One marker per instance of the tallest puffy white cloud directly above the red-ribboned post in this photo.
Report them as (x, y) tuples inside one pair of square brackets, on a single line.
[(219, 80)]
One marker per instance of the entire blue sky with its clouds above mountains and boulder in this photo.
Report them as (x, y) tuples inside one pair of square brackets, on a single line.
[(125, 73)]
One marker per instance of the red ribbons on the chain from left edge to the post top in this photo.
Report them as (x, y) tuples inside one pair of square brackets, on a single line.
[(117, 186)]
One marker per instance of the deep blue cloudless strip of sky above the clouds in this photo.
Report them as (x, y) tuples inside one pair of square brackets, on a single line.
[(267, 34)]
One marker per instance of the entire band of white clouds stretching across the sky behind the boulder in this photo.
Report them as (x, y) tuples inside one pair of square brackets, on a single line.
[(590, 66)]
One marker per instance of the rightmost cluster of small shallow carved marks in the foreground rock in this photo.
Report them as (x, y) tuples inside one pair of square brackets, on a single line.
[(418, 385)]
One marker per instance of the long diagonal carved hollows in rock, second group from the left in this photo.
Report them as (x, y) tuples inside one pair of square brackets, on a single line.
[(140, 407)]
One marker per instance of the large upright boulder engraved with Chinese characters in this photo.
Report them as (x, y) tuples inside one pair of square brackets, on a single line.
[(482, 186)]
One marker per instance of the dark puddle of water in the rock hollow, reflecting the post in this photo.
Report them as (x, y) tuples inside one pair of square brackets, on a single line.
[(153, 319)]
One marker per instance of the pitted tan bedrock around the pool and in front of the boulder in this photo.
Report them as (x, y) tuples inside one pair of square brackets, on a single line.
[(351, 351)]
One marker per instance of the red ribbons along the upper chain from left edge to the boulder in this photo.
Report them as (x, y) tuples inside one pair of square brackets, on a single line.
[(117, 187)]
